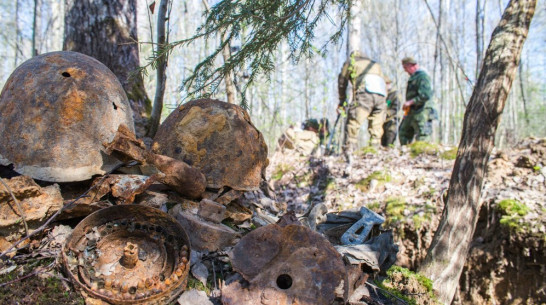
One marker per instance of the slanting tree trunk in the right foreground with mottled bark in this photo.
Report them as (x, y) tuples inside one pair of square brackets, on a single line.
[(447, 253)]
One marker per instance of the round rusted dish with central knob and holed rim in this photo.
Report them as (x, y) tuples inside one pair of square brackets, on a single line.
[(129, 254)]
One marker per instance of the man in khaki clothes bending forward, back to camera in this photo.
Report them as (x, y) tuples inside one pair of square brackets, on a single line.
[(369, 92)]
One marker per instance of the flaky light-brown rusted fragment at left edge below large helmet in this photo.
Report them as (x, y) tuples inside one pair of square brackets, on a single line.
[(37, 205)]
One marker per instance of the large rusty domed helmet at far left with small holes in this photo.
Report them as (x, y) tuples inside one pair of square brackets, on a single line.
[(56, 111)]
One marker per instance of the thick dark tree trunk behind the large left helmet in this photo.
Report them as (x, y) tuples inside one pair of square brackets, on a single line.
[(107, 31)]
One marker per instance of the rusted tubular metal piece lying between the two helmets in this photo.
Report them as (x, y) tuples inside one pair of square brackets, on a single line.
[(180, 176)]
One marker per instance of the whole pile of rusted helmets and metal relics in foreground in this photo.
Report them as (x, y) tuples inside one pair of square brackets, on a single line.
[(152, 214)]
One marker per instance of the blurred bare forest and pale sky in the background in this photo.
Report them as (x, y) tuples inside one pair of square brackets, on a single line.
[(447, 37)]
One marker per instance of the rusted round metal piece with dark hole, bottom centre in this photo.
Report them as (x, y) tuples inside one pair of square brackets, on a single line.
[(285, 265)]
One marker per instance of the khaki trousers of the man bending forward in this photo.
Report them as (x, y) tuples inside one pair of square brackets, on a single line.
[(369, 106)]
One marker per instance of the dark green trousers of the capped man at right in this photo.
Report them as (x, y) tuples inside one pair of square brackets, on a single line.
[(415, 125)]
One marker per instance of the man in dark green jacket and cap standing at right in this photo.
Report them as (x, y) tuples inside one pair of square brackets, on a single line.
[(418, 105)]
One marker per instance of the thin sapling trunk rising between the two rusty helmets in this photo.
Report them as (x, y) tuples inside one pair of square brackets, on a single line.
[(161, 76)]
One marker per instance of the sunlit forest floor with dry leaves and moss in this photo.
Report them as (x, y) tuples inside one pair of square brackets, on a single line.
[(406, 185)]
